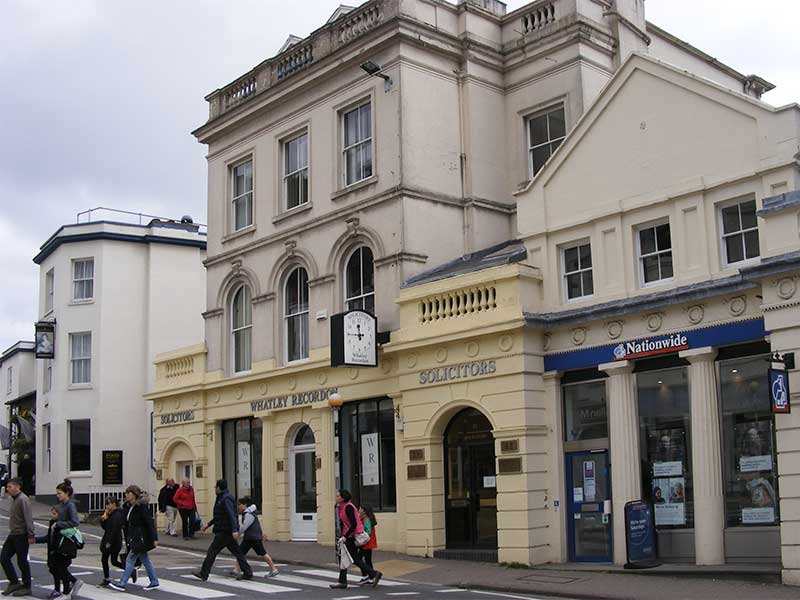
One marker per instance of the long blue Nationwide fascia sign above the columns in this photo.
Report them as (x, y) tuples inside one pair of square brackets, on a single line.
[(719, 335)]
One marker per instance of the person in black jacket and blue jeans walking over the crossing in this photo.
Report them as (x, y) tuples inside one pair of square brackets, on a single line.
[(141, 537)]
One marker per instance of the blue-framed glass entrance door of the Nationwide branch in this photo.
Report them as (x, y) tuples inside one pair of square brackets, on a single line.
[(588, 488)]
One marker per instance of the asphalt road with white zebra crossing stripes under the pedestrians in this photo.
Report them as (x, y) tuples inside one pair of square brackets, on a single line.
[(174, 569)]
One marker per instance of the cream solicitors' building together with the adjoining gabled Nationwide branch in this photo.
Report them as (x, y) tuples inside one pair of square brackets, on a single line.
[(398, 159)]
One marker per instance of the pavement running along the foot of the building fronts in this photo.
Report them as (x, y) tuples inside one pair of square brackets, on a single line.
[(430, 577)]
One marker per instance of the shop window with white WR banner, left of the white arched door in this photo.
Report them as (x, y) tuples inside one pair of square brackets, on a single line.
[(241, 457)]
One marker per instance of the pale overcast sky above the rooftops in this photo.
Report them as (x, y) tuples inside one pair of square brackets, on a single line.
[(98, 98)]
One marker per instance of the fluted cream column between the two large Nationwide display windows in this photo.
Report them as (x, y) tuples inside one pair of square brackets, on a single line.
[(709, 499)]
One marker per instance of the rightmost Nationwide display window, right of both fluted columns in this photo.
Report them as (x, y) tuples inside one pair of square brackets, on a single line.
[(748, 443)]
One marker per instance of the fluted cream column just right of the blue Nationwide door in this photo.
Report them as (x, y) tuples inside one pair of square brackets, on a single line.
[(623, 423)]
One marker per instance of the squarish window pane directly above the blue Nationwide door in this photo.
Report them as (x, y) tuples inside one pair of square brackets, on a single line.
[(585, 411)]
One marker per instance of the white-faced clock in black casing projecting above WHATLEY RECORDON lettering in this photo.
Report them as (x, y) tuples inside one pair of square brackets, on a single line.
[(354, 339)]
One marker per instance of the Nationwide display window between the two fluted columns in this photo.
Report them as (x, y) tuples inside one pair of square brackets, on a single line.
[(664, 428)]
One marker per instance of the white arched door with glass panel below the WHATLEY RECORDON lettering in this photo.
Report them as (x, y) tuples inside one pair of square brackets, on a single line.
[(303, 485)]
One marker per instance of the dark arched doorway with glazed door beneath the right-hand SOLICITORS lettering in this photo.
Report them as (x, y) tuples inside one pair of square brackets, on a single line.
[(470, 483)]
